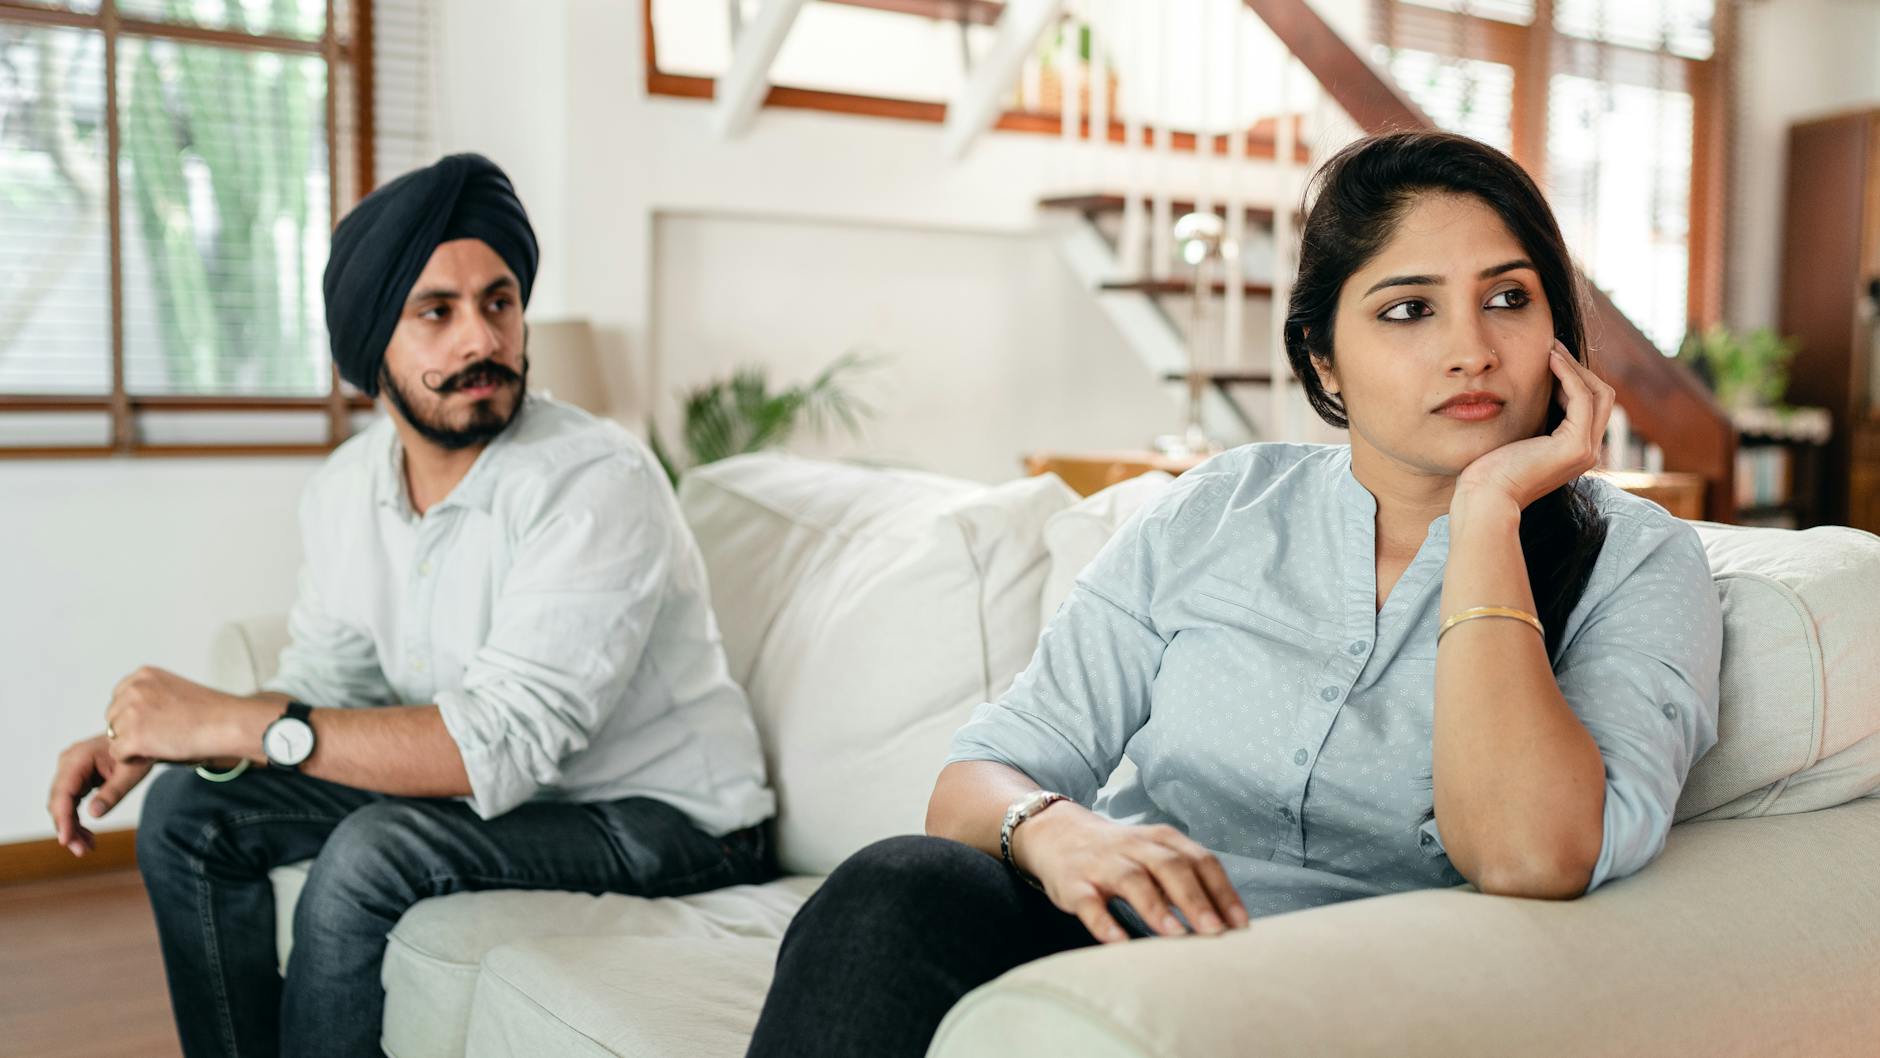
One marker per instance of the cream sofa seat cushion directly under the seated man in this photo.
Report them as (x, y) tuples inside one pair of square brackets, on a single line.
[(435, 954)]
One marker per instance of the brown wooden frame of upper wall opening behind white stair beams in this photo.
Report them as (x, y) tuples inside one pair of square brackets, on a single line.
[(1262, 140)]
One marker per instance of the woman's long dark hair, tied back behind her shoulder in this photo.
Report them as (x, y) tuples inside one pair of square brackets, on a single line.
[(1358, 200)]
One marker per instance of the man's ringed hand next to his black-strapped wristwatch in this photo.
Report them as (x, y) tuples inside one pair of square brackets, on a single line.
[(163, 717)]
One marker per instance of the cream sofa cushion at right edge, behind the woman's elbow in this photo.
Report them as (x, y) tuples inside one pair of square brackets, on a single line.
[(1800, 723)]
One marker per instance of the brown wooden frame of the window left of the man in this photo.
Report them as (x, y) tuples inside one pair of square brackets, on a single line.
[(349, 55)]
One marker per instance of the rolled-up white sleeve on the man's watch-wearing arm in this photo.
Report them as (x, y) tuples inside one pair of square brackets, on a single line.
[(567, 636)]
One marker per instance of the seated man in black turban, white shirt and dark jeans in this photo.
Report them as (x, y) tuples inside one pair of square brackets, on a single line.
[(503, 668)]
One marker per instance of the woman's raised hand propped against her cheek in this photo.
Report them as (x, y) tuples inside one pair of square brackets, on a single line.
[(1529, 469)]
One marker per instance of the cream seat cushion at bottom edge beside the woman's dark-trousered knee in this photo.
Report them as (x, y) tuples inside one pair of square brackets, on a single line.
[(636, 999)]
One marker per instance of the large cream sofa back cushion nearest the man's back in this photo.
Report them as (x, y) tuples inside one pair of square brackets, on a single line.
[(866, 614)]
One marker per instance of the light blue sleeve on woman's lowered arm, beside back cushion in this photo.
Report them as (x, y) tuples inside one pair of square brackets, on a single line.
[(1069, 717)]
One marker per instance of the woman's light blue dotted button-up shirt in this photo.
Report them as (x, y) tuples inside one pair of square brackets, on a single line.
[(1229, 642)]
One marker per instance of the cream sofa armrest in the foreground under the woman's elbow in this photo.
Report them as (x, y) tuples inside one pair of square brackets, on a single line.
[(1747, 937)]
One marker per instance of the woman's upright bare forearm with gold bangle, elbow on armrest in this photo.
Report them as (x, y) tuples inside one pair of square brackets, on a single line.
[(1520, 783)]
